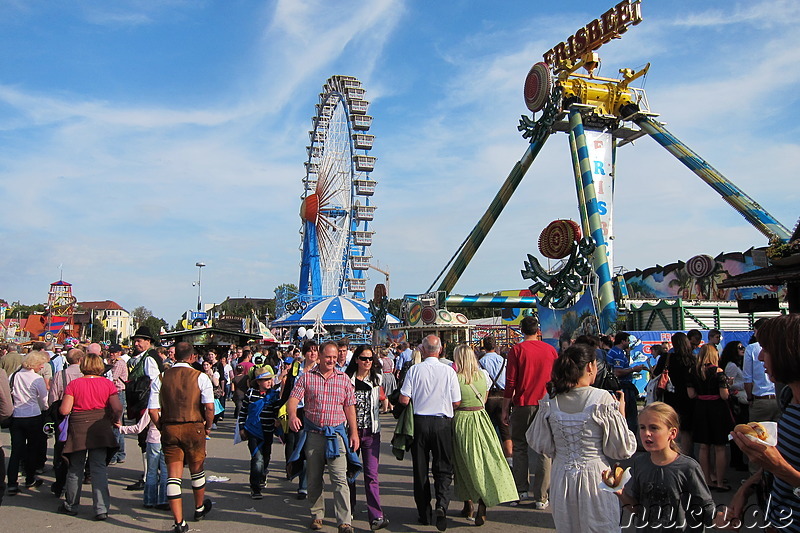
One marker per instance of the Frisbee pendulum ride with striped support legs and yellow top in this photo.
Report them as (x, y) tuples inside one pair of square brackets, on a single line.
[(599, 115)]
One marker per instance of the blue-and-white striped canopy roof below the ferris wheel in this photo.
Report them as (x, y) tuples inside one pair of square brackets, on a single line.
[(334, 311)]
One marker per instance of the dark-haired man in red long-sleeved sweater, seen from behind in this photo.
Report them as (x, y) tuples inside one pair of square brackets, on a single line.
[(529, 365)]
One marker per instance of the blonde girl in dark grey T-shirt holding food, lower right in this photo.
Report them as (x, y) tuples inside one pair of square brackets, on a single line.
[(667, 489)]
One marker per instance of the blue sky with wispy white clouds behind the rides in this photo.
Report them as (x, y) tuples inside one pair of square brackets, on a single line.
[(138, 137)]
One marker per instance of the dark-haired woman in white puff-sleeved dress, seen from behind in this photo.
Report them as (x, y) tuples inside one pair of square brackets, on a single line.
[(583, 430)]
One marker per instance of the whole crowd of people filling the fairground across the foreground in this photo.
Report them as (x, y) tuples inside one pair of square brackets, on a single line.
[(486, 427)]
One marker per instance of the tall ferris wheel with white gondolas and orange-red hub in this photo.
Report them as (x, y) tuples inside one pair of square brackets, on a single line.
[(336, 211)]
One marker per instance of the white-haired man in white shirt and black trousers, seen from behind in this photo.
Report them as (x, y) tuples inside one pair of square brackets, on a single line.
[(434, 389)]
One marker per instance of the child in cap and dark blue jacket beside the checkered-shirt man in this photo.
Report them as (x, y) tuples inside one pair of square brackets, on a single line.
[(257, 425)]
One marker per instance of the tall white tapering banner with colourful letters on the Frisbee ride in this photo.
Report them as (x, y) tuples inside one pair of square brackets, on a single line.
[(600, 144)]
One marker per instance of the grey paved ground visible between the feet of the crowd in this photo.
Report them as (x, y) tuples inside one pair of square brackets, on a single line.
[(34, 510)]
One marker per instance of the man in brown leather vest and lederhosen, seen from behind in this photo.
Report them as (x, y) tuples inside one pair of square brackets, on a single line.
[(182, 407)]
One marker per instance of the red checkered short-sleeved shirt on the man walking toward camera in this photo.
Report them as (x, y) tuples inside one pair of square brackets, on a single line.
[(324, 398)]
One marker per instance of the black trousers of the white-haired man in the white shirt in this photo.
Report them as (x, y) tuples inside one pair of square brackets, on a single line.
[(433, 439)]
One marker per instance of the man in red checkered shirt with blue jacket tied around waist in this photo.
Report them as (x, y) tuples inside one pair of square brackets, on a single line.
[(329, 399)]
